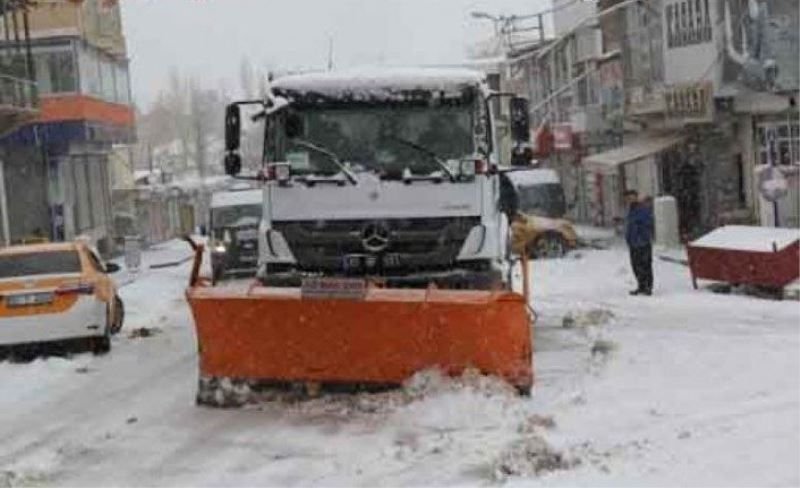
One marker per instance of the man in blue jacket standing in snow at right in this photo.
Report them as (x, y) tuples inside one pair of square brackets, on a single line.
[(639, 236)]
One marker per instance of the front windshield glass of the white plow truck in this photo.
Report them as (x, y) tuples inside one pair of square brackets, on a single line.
[(371, 138)]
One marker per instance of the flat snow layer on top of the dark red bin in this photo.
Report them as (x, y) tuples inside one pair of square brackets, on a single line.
[(748, 238)]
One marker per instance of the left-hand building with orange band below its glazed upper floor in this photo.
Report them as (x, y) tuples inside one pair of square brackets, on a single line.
[(59, 165)]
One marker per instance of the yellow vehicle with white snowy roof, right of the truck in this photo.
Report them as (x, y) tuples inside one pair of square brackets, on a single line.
[(536, 201)]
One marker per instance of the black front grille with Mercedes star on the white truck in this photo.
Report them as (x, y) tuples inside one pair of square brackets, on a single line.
[(409, 245)]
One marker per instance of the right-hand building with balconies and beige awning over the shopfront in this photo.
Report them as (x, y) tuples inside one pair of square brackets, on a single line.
[(705, 83)]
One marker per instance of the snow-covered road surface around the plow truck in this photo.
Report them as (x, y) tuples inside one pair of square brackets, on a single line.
[(683, 388)]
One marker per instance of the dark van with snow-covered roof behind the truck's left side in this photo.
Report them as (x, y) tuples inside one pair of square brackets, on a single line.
[(234, 220)]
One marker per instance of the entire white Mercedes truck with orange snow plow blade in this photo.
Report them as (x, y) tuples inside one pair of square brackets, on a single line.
[(384, 249)]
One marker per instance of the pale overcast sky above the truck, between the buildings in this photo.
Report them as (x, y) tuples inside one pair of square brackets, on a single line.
[(209, 38)]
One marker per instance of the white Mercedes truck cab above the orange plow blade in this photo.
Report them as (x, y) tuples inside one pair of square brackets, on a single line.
[(386, 174)]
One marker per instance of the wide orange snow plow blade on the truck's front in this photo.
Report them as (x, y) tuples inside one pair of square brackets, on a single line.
[(382, 337)]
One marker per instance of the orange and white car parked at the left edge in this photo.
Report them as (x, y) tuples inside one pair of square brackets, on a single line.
[(57, 293)]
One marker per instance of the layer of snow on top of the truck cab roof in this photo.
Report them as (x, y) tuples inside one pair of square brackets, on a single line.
[(376, 82)]
